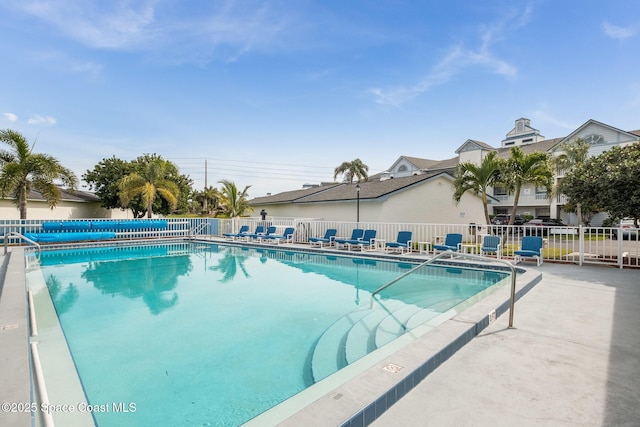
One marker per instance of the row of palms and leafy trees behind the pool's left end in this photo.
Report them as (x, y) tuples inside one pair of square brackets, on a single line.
[(146, 185)]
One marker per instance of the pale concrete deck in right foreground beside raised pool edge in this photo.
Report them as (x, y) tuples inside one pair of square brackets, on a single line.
[(573, 359)]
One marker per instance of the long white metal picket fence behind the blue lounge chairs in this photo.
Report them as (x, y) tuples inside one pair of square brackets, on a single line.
[(575, 245)]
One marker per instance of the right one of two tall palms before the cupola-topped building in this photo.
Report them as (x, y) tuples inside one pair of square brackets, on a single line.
[(520, 169)]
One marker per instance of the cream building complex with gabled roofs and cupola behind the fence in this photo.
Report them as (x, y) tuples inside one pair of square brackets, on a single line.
[(415, 189)]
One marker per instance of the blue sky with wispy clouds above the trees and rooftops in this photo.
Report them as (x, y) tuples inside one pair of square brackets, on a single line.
[(275, 94)]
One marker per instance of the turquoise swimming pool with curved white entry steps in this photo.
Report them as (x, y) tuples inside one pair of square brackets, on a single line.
[(206, 334)]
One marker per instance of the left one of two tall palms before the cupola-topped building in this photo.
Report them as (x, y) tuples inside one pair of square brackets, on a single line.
[(477, 179)]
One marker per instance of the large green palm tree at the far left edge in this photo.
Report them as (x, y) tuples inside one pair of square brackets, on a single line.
[(23, 170)]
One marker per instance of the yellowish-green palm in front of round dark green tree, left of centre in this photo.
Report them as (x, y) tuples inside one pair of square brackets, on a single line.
[(150, 184)]
